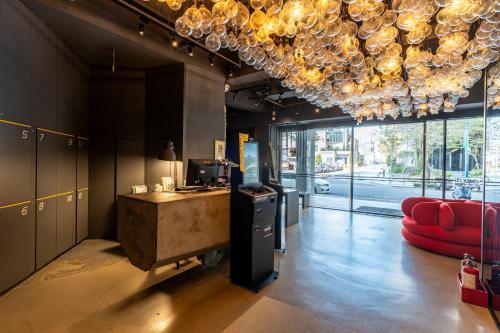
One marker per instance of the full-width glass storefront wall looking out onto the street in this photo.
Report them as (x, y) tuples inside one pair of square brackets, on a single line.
[(373, 168)]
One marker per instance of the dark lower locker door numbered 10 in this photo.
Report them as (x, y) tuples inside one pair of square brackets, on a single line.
[(66, 222)]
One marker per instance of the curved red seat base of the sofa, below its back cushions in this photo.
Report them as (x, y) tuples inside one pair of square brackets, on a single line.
[(459, 235)]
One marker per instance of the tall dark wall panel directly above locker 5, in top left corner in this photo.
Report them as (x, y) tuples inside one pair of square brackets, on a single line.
[(14, 61)]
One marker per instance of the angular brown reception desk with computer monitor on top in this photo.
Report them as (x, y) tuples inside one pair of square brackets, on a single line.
[(160, 228)]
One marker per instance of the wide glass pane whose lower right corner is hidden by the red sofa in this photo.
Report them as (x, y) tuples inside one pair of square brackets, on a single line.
[(388, 163)]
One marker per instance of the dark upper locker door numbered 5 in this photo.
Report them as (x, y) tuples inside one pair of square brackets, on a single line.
[(16, 167)]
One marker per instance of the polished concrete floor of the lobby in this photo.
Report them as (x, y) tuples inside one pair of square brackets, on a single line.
[(343, 272)]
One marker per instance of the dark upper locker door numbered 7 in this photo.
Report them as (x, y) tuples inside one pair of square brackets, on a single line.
[(46, 160)]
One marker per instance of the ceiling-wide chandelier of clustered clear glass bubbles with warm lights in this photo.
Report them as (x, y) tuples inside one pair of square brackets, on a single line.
[(371, 58)]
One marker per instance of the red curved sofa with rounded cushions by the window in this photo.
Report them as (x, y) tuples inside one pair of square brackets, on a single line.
[(449, 227)]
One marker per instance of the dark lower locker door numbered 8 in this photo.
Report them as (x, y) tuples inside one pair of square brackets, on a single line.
[(46, 230)]
